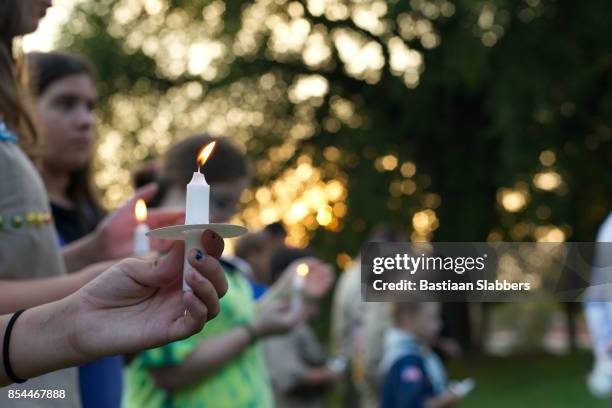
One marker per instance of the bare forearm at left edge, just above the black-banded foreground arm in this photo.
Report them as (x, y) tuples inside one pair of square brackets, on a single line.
[(26, 293)]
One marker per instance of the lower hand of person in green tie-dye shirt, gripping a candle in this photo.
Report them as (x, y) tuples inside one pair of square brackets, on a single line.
[(275, 317)]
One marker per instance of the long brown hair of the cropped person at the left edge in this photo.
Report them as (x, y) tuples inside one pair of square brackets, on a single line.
[(13, 106)]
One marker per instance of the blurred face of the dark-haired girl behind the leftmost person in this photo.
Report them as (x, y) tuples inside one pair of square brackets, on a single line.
[(67, 123)]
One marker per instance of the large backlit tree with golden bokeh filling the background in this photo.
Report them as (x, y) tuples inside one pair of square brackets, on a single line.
[(462, 121)]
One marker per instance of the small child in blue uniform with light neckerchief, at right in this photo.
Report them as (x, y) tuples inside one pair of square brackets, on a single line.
[(412, 374)]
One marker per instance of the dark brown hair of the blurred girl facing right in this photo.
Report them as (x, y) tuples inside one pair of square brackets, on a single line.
[(44, 70)]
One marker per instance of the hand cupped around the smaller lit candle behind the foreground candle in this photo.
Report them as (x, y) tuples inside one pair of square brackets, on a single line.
[(115, 234)]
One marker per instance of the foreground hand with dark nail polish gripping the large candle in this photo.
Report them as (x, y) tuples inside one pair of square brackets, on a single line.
[(137, 305)]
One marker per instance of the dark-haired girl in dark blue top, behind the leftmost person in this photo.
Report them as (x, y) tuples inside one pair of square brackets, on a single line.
[(65, 96)]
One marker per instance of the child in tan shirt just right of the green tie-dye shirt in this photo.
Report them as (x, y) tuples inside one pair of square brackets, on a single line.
[(297, 361)]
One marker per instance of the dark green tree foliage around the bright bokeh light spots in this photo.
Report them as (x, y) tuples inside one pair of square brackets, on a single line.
[(501, 82)]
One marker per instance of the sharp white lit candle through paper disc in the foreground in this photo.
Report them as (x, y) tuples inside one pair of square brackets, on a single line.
[(196, 207)]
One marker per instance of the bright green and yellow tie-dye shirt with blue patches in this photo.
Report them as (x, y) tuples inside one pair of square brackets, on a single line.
[(243, 382)]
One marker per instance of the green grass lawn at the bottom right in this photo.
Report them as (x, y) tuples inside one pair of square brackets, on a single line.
[(540, 381)]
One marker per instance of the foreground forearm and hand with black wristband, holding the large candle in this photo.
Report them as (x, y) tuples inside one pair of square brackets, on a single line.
[(135, 305)]
